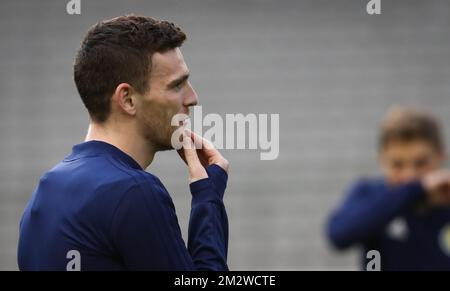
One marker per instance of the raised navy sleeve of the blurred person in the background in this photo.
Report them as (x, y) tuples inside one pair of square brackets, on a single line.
[(367, 210)]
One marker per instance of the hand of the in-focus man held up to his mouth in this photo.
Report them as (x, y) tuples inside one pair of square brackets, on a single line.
[(198, 153)]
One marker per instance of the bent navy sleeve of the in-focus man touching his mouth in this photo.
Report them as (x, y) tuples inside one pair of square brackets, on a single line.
[(147, 235)]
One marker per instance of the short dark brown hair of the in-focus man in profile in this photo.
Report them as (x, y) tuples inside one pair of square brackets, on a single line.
[(117, 51)]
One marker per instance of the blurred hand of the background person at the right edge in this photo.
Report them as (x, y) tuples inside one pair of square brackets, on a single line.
[(437, 185)]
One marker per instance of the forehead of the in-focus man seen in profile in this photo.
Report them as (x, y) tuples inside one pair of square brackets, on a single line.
[(170, 63)]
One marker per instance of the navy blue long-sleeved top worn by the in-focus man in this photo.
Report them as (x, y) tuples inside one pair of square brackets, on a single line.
[(99, 204)]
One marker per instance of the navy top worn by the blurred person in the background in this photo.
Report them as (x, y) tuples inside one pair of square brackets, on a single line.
[(396, 222)]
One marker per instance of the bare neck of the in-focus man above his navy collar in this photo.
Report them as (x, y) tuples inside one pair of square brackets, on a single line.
[(125, 139)]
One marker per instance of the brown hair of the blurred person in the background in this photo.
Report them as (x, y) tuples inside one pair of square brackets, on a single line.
[(407, 124)]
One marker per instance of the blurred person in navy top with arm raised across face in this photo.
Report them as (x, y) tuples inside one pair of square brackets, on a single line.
[(405, 216)]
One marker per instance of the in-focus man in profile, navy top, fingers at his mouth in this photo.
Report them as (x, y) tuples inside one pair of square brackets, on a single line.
[(99, 209)]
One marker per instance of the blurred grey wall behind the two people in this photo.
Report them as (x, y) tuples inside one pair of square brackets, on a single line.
[(327, 67)]
